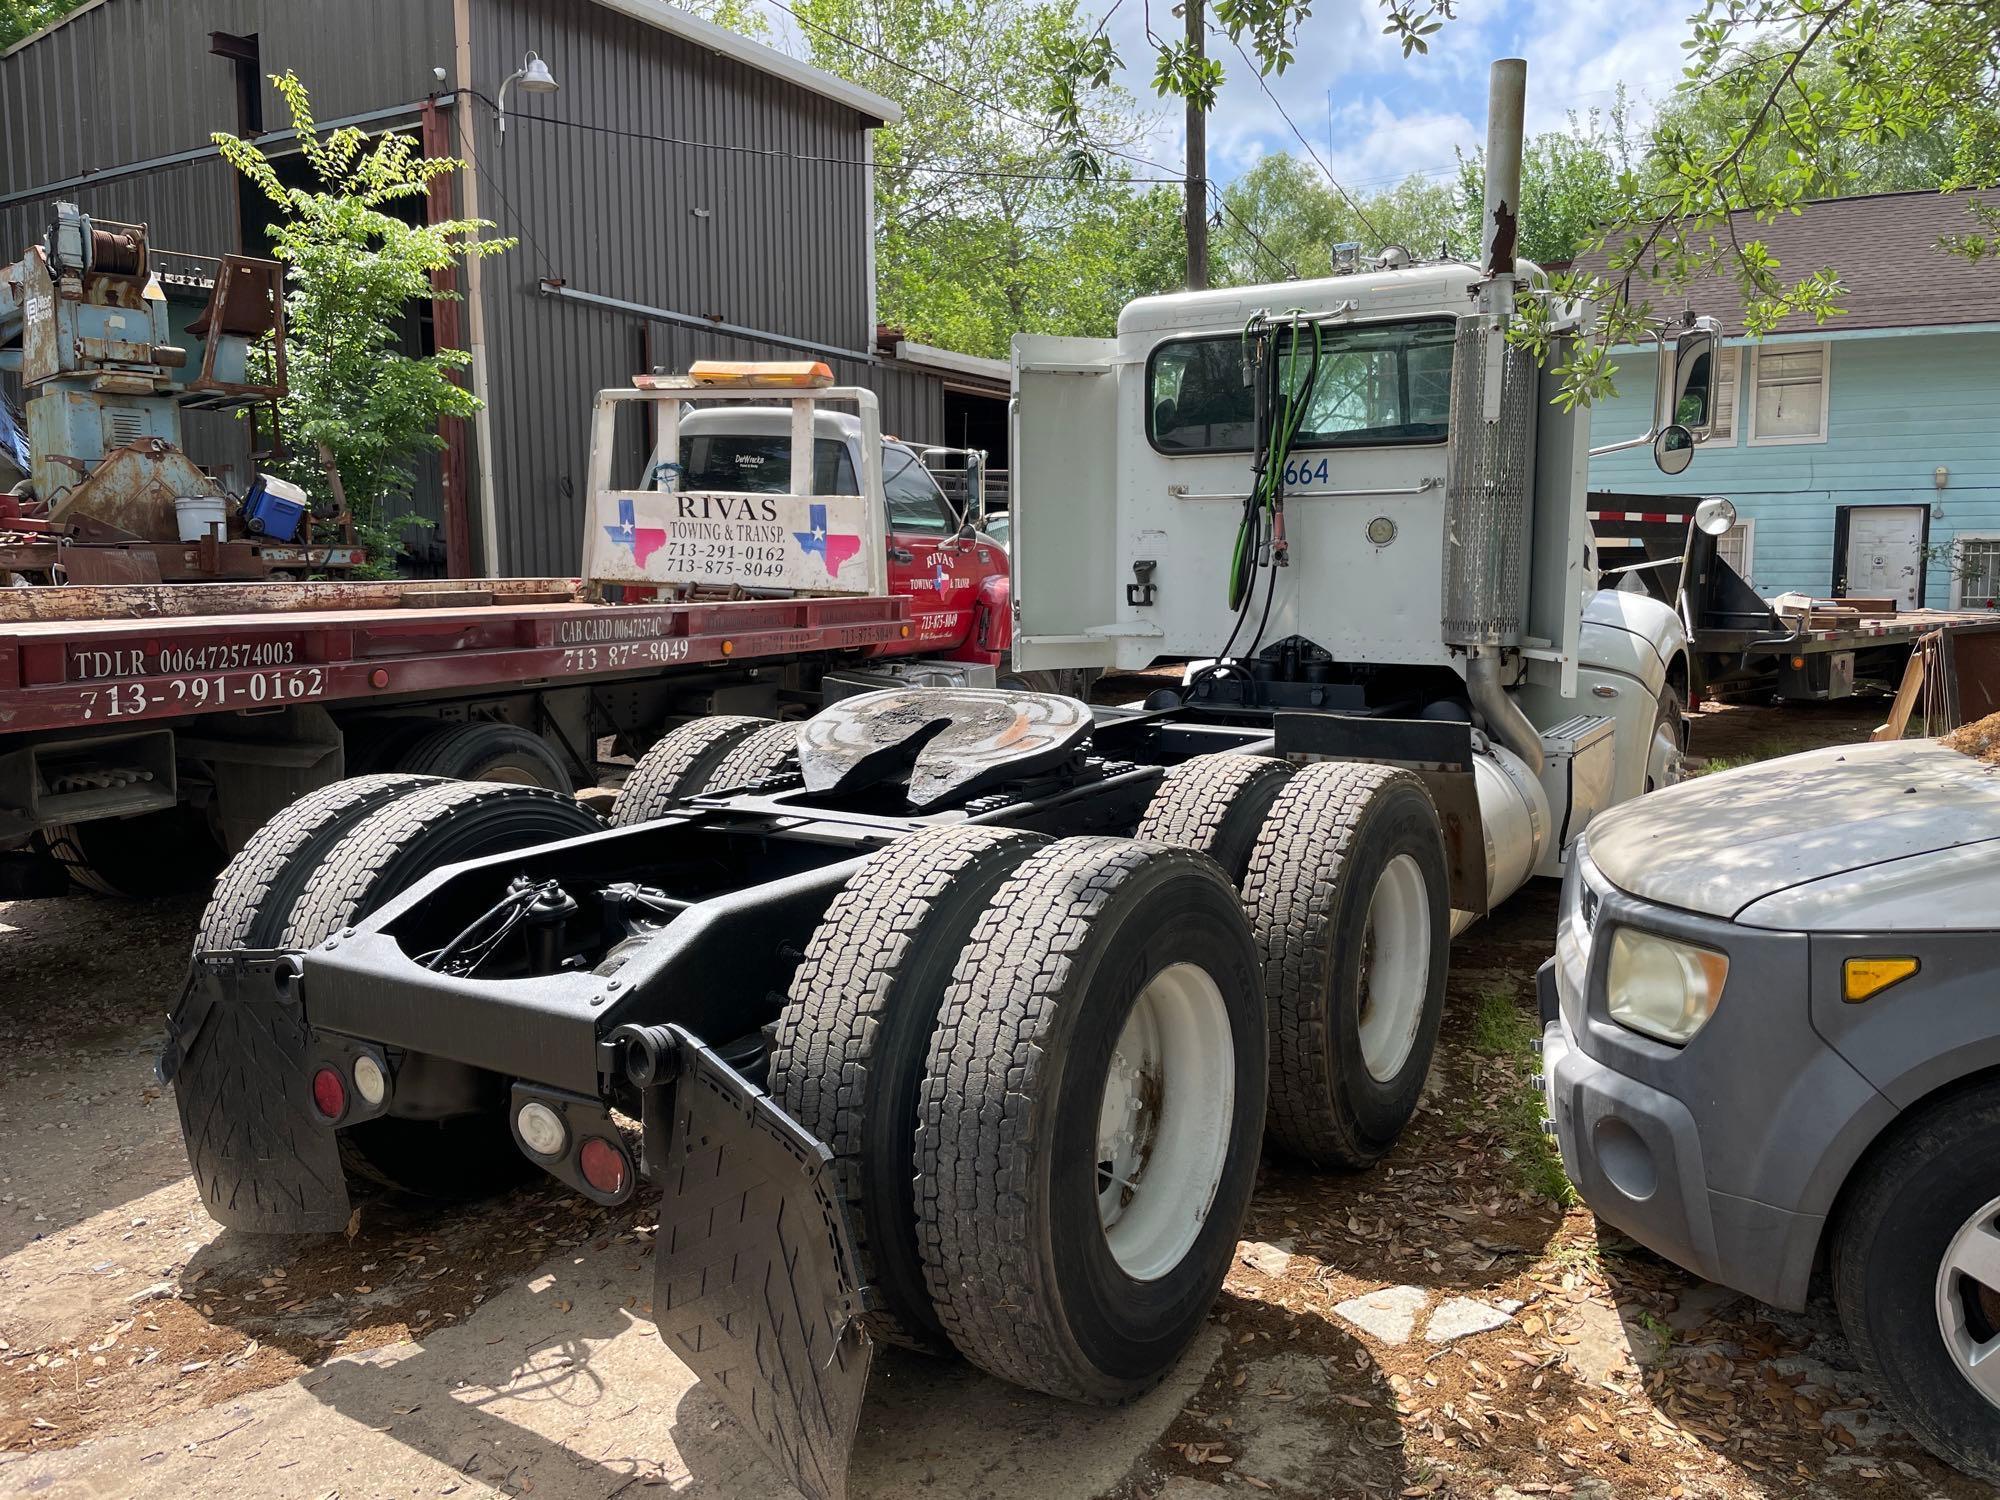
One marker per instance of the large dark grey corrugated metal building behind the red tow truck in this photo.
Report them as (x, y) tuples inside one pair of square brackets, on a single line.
[(685, 195)]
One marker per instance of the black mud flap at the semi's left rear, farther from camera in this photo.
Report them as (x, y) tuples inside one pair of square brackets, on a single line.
[(237, 1059)]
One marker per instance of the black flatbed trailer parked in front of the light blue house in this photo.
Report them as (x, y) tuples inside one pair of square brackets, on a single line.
[(1741, 643)]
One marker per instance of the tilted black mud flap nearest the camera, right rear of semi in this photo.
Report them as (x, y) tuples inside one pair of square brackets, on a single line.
[(755, 1275)]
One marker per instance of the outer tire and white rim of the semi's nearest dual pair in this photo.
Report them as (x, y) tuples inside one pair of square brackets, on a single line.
[(1091, 949)]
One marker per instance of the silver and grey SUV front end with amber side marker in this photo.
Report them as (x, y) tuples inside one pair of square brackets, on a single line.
[(1773, 1043)]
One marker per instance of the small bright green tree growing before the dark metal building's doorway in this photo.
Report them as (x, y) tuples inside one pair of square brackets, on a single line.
[(359, 407)]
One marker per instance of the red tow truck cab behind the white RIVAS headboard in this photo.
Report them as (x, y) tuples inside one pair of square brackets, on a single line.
[(937, 555)]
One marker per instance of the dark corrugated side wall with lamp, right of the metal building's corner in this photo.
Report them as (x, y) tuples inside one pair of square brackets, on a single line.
[(757, 241)]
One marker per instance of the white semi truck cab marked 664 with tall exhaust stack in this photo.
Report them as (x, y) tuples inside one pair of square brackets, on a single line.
[(1357, 495)]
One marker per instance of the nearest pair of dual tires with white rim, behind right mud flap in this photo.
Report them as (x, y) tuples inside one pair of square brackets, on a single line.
[(1041, 1071)]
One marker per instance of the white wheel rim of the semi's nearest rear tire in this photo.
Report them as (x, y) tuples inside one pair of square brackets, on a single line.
[(1165, 1121)]
